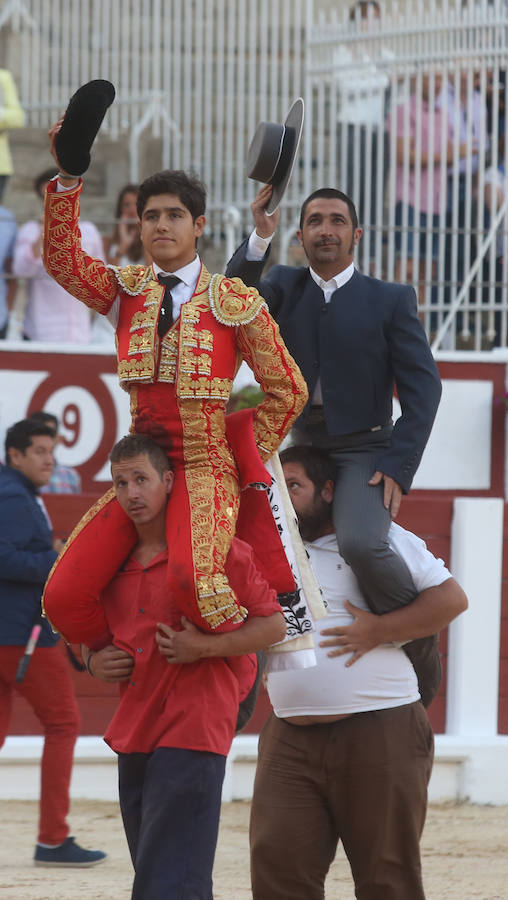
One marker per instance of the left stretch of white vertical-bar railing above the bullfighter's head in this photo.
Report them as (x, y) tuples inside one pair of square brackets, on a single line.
[(198, 74)]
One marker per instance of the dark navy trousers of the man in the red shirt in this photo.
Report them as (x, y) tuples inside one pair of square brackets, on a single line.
[(170, 803)]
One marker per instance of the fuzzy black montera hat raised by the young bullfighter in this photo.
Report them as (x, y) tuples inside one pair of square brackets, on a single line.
[(82, 120)]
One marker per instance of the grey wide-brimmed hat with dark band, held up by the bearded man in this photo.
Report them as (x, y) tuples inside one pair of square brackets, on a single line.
[(272, 153)]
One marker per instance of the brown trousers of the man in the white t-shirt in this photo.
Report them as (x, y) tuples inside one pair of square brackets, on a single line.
[(363, 781)]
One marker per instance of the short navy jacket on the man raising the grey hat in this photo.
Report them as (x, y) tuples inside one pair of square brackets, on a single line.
[(367, 339)]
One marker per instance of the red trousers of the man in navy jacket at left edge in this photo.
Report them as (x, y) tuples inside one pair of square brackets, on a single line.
[(48, 688)]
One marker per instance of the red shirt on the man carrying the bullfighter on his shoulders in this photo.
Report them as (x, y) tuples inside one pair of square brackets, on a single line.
[(192, 705)]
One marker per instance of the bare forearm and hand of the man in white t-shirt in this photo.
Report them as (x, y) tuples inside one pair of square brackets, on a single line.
[(432, 610)]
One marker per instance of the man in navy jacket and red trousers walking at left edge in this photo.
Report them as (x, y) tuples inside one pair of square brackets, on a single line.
[(27, 553)]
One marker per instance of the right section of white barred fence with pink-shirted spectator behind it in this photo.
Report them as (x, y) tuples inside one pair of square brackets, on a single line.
[(408, 117)]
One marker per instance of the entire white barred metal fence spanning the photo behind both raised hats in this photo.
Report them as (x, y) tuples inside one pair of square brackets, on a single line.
[(405, 112)]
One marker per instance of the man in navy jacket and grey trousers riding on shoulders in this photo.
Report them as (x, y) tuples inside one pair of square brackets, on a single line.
[(355, 338)]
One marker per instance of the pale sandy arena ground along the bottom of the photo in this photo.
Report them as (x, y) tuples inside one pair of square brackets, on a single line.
[(465, 855)]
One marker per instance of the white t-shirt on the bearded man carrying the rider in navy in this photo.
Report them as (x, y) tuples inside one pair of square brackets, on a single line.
[(382, 678)]
